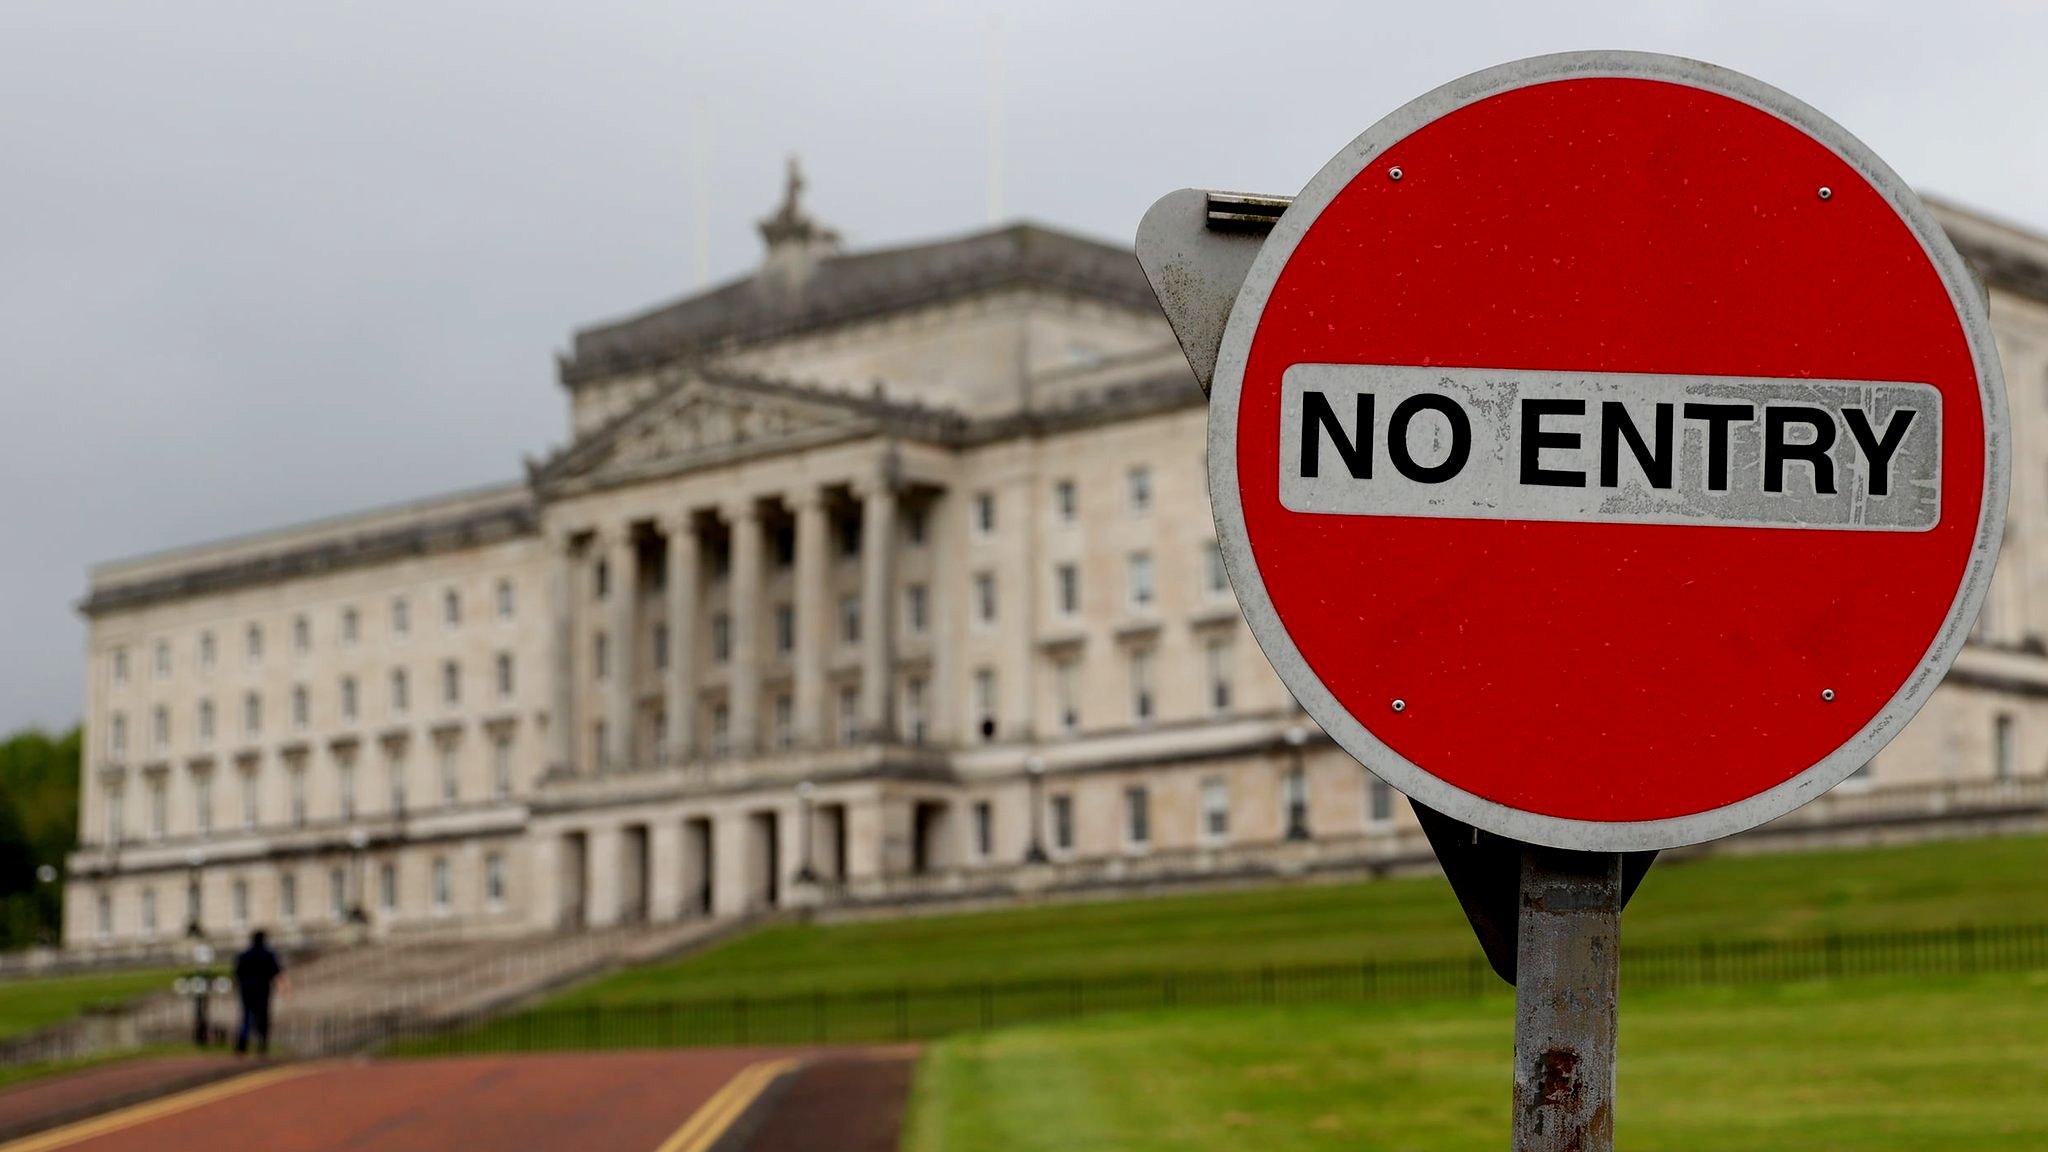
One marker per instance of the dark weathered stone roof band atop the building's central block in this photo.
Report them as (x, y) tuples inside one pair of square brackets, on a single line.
[(841, 288)]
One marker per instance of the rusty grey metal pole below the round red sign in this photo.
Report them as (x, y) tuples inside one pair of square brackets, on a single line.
[(1568, 981)]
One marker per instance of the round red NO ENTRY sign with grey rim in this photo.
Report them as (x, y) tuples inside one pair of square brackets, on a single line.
[(1609, 450)]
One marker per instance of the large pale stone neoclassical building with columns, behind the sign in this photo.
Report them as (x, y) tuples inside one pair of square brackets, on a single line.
[(867, 577)]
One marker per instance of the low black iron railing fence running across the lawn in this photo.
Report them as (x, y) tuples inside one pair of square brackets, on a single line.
[(941, 1010)]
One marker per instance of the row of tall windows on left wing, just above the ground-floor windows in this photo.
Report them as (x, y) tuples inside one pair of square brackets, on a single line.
[(396, 772)]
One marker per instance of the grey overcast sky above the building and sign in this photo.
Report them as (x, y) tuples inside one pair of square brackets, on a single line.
[(275, 261)]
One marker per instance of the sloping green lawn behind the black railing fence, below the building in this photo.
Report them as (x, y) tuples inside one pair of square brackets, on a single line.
[(1973, 882)]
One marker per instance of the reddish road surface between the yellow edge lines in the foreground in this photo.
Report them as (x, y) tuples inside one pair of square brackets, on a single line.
[(636, 1102)]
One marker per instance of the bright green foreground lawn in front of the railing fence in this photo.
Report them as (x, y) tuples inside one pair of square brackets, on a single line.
[(1869, 1065)]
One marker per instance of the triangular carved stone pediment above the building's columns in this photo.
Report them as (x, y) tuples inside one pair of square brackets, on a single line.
[(712, 419)]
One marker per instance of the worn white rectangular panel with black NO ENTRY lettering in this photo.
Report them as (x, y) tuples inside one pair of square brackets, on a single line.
[(1611, 448)]
